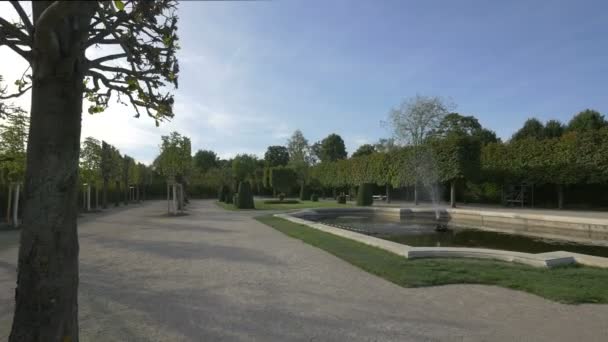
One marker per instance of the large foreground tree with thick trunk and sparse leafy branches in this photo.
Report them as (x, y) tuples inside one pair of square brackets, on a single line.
[(53, 41)]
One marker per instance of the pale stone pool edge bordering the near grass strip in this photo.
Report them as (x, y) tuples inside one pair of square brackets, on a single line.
[(547, 260)]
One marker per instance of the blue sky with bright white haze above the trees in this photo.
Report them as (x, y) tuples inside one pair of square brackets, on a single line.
[(252, 72)]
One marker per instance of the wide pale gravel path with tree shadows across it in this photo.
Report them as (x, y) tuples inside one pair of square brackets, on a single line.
[(215, 275)]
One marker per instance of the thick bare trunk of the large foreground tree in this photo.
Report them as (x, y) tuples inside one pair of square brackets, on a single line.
[(47, 283)]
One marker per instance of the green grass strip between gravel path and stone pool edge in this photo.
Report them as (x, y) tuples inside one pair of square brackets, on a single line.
[(571, 284)]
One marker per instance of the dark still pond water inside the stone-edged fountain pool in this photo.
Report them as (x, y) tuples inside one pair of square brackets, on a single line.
[(425, 235)]
